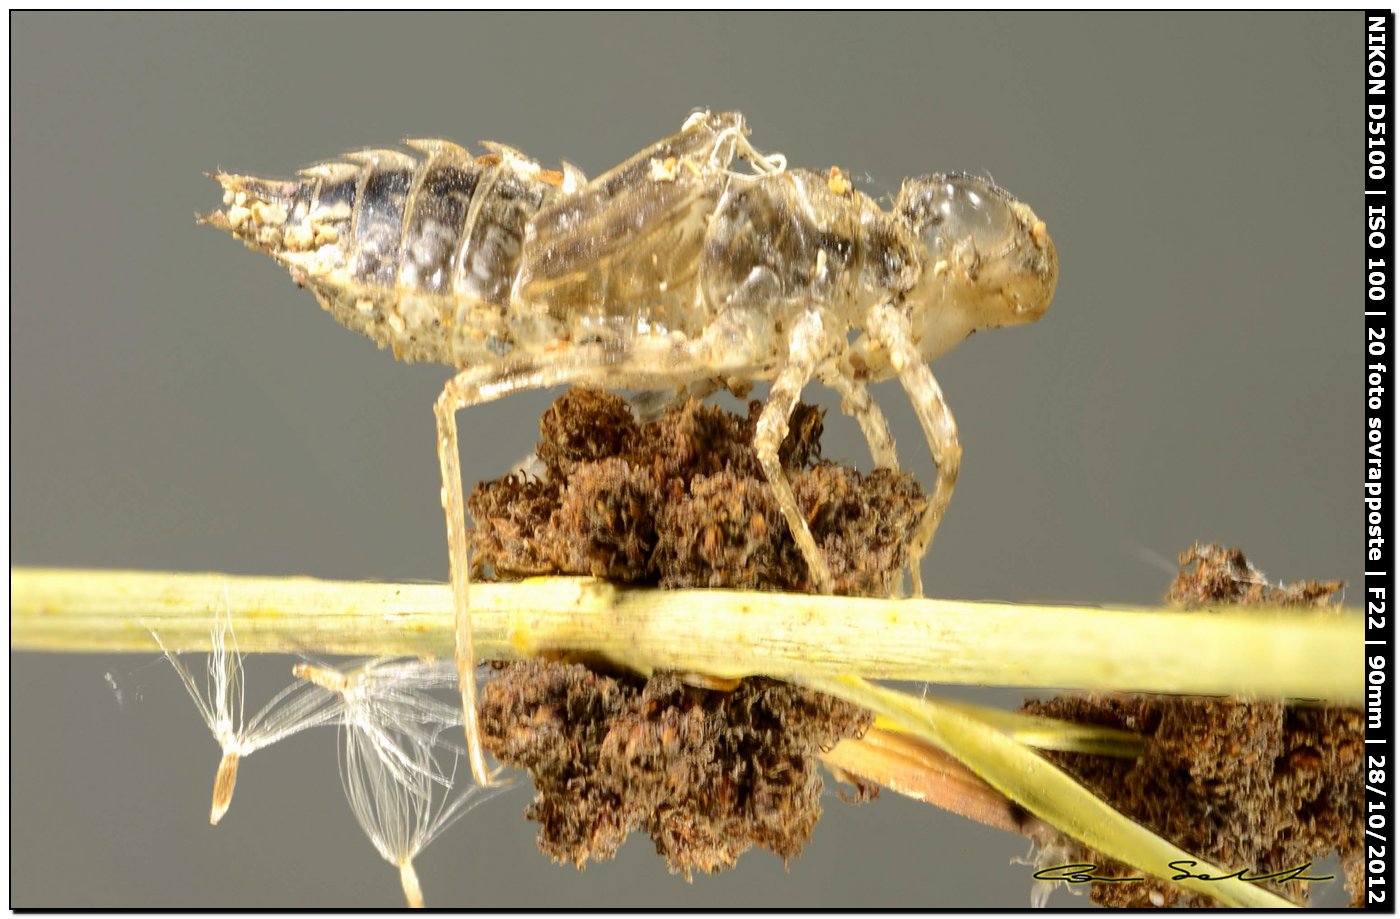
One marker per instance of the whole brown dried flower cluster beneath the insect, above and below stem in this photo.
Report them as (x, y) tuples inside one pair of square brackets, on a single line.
[(680, 504)]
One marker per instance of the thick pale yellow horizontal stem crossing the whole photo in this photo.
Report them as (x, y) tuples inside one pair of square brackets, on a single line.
[(1265, 652)]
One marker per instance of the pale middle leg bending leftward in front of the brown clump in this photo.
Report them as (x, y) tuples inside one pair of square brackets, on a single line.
[(806, 348)]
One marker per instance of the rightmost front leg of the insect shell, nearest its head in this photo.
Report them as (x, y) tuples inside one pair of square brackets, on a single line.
[(891, 329)]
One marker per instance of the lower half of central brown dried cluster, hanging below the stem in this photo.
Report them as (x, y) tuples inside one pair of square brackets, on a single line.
[(705, 774)]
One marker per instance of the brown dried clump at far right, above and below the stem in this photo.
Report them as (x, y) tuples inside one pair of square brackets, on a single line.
[(1247, 785)]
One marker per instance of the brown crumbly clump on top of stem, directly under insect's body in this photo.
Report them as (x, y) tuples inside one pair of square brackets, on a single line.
[(682, 502)]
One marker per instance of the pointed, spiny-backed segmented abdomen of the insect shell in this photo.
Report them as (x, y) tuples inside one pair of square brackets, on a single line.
[(418, 253)]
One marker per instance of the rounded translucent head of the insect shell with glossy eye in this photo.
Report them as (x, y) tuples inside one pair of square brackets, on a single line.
[(989, 260)]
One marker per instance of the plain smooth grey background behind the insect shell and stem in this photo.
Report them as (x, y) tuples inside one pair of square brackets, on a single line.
[(178, 404)]
